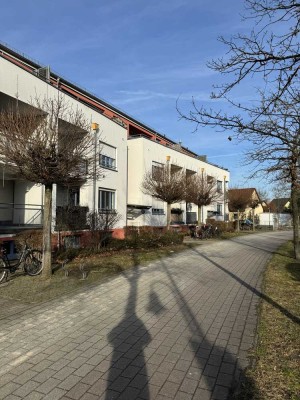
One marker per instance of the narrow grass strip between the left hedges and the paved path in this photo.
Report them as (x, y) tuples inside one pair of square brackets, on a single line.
[(35, 289)]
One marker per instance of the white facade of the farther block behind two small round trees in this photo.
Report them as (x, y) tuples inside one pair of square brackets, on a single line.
[(146, 210)]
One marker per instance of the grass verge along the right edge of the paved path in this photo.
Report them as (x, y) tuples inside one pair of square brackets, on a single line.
[(275, 373)]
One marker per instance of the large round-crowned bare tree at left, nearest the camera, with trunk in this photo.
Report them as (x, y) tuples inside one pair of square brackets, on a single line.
[(47, 143)]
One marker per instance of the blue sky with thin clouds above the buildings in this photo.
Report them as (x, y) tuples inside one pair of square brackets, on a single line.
[(140, 56)]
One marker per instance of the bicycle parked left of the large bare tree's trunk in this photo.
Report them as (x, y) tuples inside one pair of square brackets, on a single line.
[(30, 260)]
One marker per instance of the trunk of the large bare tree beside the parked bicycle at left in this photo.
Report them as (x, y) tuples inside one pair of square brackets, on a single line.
[(47, 219)]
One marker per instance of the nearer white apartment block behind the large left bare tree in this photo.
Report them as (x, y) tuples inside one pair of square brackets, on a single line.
[(21, 202)]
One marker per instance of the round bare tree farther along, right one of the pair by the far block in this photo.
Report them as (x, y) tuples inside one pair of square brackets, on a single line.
[(202, 191)]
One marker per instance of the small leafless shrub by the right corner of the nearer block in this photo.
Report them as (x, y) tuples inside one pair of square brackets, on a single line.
[(100, 225)]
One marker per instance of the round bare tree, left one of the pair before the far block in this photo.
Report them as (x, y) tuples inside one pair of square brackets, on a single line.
[(166, 184)]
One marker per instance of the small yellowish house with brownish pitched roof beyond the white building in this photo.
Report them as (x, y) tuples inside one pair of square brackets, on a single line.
[(253, 205)]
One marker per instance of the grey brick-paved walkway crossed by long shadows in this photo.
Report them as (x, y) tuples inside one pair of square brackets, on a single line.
[(178, 329)]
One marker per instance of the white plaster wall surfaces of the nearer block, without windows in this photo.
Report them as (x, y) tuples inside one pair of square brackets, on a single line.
[(17, 83)]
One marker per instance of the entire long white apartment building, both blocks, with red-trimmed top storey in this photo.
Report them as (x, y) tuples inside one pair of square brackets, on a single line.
[(124, 147)]
